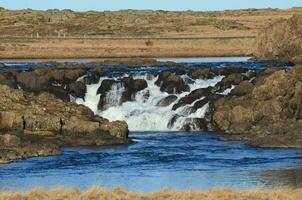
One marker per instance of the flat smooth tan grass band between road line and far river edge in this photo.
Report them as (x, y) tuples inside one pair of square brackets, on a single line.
[(26, 48)]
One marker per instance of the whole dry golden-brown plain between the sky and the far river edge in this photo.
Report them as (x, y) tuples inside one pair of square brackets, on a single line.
[(53, 34)]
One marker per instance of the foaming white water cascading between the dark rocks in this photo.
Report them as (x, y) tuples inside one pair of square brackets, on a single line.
[(143, 114)]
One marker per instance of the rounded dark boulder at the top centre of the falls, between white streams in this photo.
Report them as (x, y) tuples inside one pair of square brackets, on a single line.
[(171, 83)]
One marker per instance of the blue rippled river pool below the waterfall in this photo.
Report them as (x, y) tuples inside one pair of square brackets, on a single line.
[(158, 160)]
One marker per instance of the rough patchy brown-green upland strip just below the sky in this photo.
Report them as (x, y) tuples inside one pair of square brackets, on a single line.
[(130, 23)]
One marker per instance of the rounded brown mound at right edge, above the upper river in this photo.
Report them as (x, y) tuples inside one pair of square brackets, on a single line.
[(281, 40)]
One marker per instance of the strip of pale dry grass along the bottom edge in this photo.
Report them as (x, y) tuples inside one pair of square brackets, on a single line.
[(118, 194)]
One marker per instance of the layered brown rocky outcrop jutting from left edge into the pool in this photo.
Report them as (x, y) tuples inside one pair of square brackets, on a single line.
[(34, 125)]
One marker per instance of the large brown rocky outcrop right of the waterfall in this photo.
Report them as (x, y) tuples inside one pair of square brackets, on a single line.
[(269, 113)]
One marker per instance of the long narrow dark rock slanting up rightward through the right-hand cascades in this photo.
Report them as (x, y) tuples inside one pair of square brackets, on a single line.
[(193, 96)]
